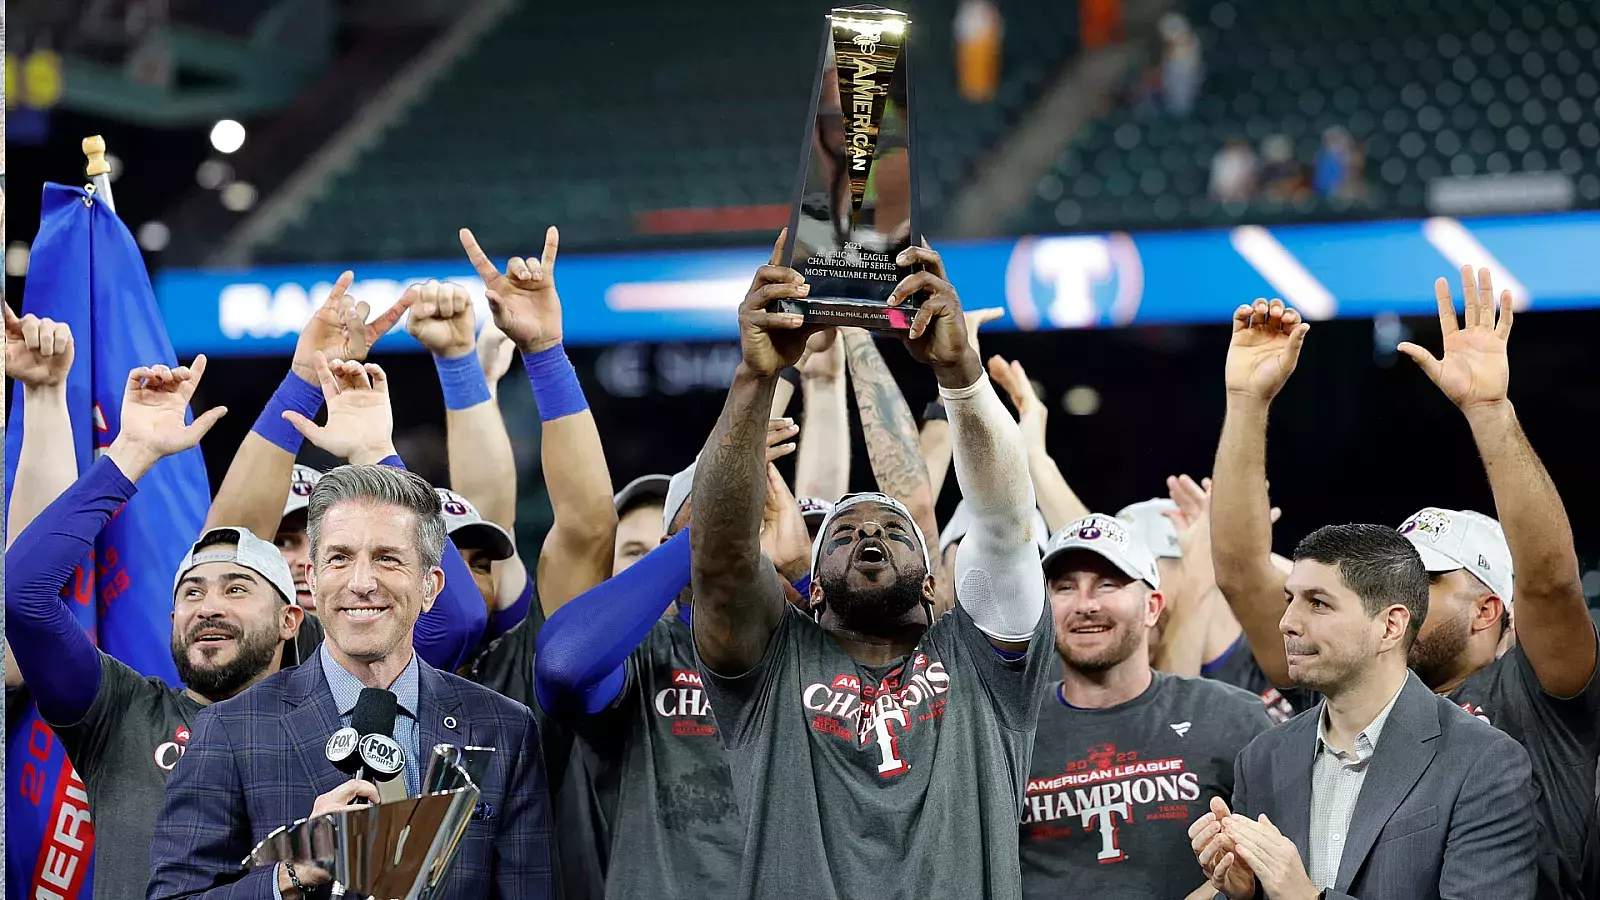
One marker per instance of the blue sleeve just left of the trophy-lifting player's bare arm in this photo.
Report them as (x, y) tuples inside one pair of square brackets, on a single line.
[(583, 649)]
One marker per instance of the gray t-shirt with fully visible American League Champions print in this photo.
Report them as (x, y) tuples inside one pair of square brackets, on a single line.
[(1113, 792)]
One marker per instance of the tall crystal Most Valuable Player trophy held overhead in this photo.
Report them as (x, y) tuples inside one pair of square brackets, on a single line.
[(857, 201)]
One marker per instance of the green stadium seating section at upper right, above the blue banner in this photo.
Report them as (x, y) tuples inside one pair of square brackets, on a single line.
[(1428, 87)]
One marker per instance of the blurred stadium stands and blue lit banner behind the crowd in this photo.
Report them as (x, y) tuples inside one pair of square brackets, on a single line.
[(1118, 174)]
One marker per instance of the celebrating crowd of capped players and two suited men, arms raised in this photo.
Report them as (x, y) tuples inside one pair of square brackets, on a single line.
[(745, 688)]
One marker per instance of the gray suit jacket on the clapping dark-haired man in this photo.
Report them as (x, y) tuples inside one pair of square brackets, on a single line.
[(1446, 811)]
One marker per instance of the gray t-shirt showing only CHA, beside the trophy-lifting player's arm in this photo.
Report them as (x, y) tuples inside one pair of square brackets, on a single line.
[(663, 779)]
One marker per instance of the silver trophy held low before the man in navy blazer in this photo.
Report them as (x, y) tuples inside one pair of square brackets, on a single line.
[(390, 851)]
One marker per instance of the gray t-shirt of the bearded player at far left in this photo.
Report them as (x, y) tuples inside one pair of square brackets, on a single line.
[(124, 750)]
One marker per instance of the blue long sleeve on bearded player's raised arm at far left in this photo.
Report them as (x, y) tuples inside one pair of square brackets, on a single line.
[(57, 659)]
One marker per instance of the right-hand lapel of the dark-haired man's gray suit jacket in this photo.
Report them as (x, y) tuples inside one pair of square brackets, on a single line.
[(1402, 757)]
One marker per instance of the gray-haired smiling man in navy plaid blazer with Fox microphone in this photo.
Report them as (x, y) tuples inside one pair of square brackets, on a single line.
[(377, 539)]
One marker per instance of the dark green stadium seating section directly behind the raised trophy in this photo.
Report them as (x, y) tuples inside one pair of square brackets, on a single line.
[(524, 132)]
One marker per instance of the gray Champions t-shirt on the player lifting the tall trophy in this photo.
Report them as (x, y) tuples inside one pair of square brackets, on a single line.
[(890, 782)]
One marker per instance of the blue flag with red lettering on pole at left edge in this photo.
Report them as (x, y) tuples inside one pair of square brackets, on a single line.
[(87, 271)]
